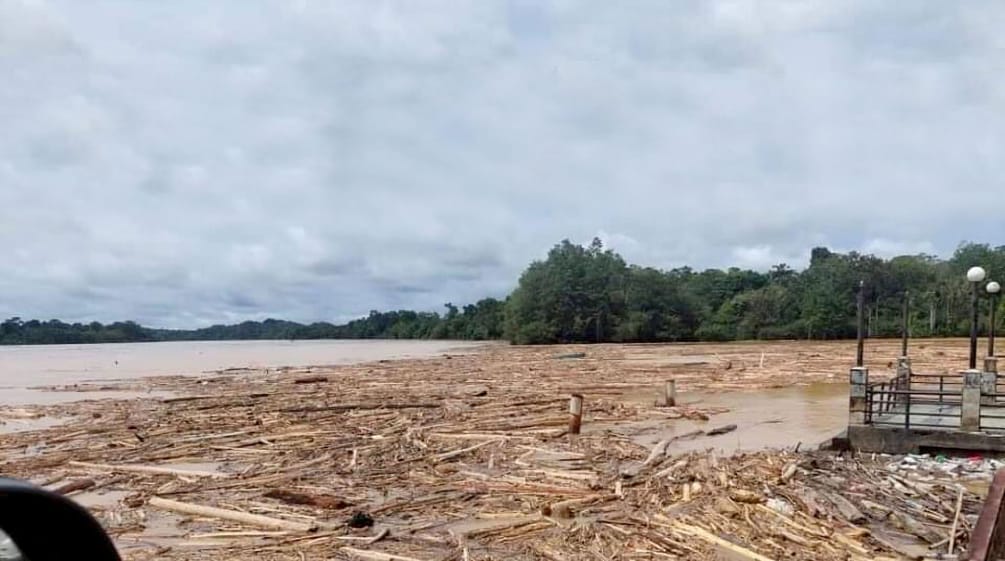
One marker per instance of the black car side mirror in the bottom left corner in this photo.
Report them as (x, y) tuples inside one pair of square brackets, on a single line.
[(39, 525)]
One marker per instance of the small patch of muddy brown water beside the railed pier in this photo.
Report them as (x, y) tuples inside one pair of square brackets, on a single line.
[(765, 419)]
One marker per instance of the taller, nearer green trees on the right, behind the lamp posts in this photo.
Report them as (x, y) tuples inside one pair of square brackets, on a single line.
[(557, 299)]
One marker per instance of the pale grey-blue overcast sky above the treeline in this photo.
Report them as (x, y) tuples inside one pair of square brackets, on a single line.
[(187, 163)]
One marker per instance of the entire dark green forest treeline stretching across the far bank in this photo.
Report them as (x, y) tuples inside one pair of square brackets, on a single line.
[(589, 294)]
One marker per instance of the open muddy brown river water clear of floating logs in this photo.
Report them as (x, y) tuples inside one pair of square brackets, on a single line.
[(765, 419)]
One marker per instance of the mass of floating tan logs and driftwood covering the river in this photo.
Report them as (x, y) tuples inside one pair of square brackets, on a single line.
[(467, 457)]
